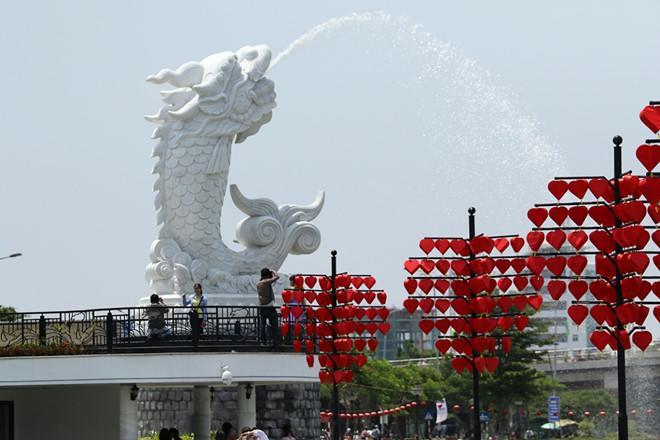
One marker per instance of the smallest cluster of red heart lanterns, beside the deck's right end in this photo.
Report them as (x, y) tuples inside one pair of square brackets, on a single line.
[(335, 318)]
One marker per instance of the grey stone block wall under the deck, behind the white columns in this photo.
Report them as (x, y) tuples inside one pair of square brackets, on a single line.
[(295, 405)]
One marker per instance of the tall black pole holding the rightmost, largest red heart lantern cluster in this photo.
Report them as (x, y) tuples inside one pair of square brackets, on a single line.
[(620, 351)]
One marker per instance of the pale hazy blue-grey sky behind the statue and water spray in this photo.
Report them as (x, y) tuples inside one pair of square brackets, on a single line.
[(403, 126)]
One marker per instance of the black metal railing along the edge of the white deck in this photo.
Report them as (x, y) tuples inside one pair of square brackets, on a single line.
[(126, 329)]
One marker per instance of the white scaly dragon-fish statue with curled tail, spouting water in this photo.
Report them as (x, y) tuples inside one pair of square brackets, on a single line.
[(217, 102)]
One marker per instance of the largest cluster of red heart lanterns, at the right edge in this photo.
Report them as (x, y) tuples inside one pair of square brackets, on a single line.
[(610, 215)]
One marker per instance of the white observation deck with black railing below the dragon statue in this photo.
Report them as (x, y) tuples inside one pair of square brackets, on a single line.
[(111, 345)]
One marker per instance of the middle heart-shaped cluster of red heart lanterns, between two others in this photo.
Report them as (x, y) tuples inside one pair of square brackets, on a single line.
[(466, 282)]
